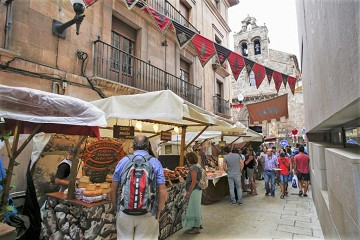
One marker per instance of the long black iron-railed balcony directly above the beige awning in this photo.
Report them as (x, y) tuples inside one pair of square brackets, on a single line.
[(116, 65)]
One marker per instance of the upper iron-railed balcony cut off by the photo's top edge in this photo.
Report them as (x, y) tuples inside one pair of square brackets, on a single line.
[(170, 11)]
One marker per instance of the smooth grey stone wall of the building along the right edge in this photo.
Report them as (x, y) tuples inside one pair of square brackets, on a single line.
[(331, 73)]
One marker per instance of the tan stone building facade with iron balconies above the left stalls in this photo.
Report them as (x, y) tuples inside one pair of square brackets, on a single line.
[(118, 51)]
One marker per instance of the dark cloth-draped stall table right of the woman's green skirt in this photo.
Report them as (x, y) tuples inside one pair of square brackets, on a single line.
[(217, 189)]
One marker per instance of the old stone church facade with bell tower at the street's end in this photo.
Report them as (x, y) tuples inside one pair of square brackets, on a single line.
[(252, 41)]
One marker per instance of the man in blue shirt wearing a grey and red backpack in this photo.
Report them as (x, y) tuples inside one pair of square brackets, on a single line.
[(138, 193)]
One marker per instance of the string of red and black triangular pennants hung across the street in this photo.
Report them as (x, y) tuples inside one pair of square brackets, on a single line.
[(206, 49)]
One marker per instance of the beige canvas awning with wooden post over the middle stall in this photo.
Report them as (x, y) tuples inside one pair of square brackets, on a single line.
[(164, 108)]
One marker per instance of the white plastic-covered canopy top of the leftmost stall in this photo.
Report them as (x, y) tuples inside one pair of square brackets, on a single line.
[(31, 105)]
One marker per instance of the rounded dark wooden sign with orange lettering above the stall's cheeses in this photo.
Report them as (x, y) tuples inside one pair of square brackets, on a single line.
[(100, 159)]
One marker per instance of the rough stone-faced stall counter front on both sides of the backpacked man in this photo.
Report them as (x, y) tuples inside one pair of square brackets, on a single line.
[(64, 219)]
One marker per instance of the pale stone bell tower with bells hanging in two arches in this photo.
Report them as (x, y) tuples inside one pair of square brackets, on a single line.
[(252, 41)]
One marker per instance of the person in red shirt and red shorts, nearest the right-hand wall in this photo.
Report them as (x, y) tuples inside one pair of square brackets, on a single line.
[(301, 161)]
